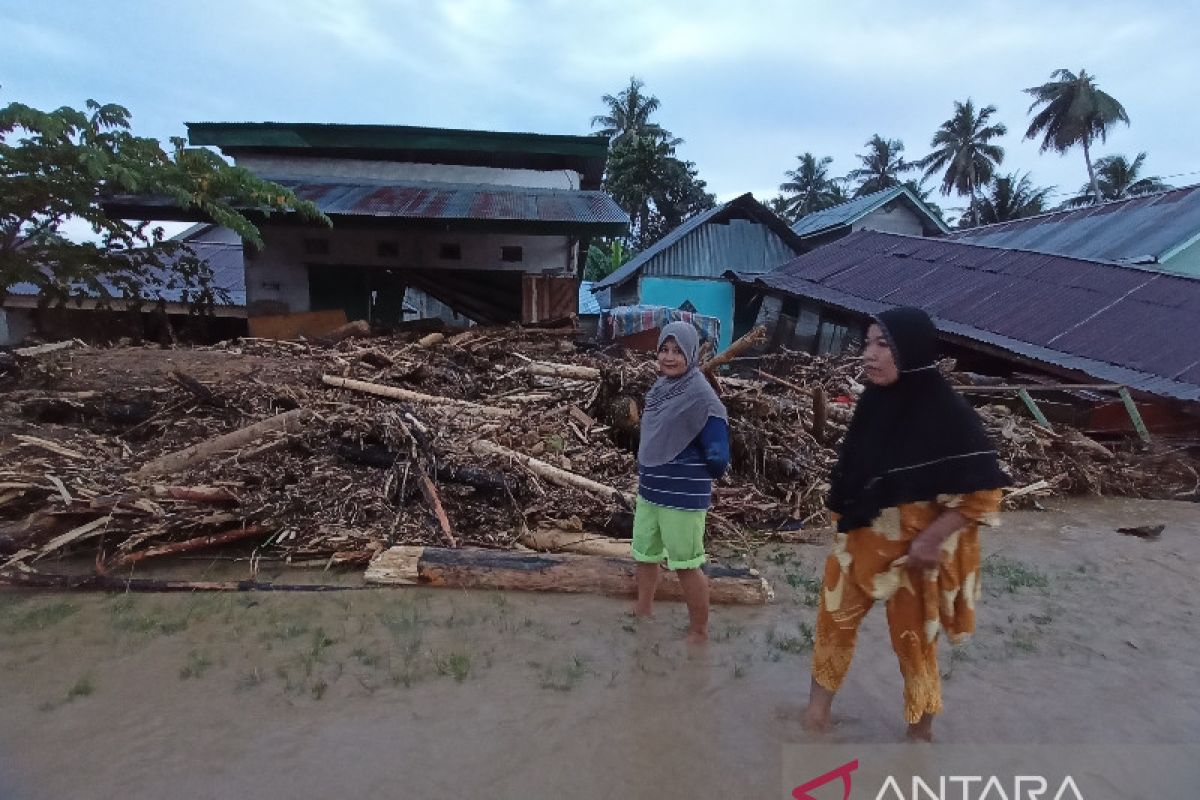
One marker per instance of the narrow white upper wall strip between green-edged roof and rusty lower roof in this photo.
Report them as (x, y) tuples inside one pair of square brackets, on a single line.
[(353, 169)]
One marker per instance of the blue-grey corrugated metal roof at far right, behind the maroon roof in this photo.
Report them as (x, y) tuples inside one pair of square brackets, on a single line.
[(1141, 230)]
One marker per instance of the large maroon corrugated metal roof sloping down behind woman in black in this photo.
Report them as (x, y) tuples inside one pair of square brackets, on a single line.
[(1117, 323)]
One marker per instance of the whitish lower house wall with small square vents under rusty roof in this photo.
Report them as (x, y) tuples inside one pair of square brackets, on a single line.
[(280, 274)]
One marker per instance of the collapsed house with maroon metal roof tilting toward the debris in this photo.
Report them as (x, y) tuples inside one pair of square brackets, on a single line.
[(1000, 311)]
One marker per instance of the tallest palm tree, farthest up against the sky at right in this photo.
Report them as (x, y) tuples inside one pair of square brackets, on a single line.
[(1076, 112)]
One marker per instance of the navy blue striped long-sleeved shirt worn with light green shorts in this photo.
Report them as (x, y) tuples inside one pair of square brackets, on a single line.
[(687, 482)]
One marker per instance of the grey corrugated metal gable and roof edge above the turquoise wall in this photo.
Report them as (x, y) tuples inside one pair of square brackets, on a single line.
[(698, 249)]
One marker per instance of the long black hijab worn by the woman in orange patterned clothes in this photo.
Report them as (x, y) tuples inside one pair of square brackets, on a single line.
[(914, 440)]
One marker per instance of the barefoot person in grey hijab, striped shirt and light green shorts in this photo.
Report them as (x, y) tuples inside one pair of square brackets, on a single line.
[(685, 448)]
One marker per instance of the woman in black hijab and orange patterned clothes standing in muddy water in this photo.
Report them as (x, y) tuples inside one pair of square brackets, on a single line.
[(915, 478)]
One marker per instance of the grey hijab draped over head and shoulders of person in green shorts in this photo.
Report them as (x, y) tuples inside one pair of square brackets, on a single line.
[(677, 408)]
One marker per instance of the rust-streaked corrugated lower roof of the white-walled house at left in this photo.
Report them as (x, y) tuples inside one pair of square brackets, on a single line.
[(430, 201)]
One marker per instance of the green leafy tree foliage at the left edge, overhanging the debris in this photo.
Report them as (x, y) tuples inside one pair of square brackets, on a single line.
[(61, 166)]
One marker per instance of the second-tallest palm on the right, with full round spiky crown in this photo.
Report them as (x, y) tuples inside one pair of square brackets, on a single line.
[(963, 148)]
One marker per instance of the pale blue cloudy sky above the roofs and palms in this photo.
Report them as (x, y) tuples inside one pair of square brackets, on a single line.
[(748, 86)]
